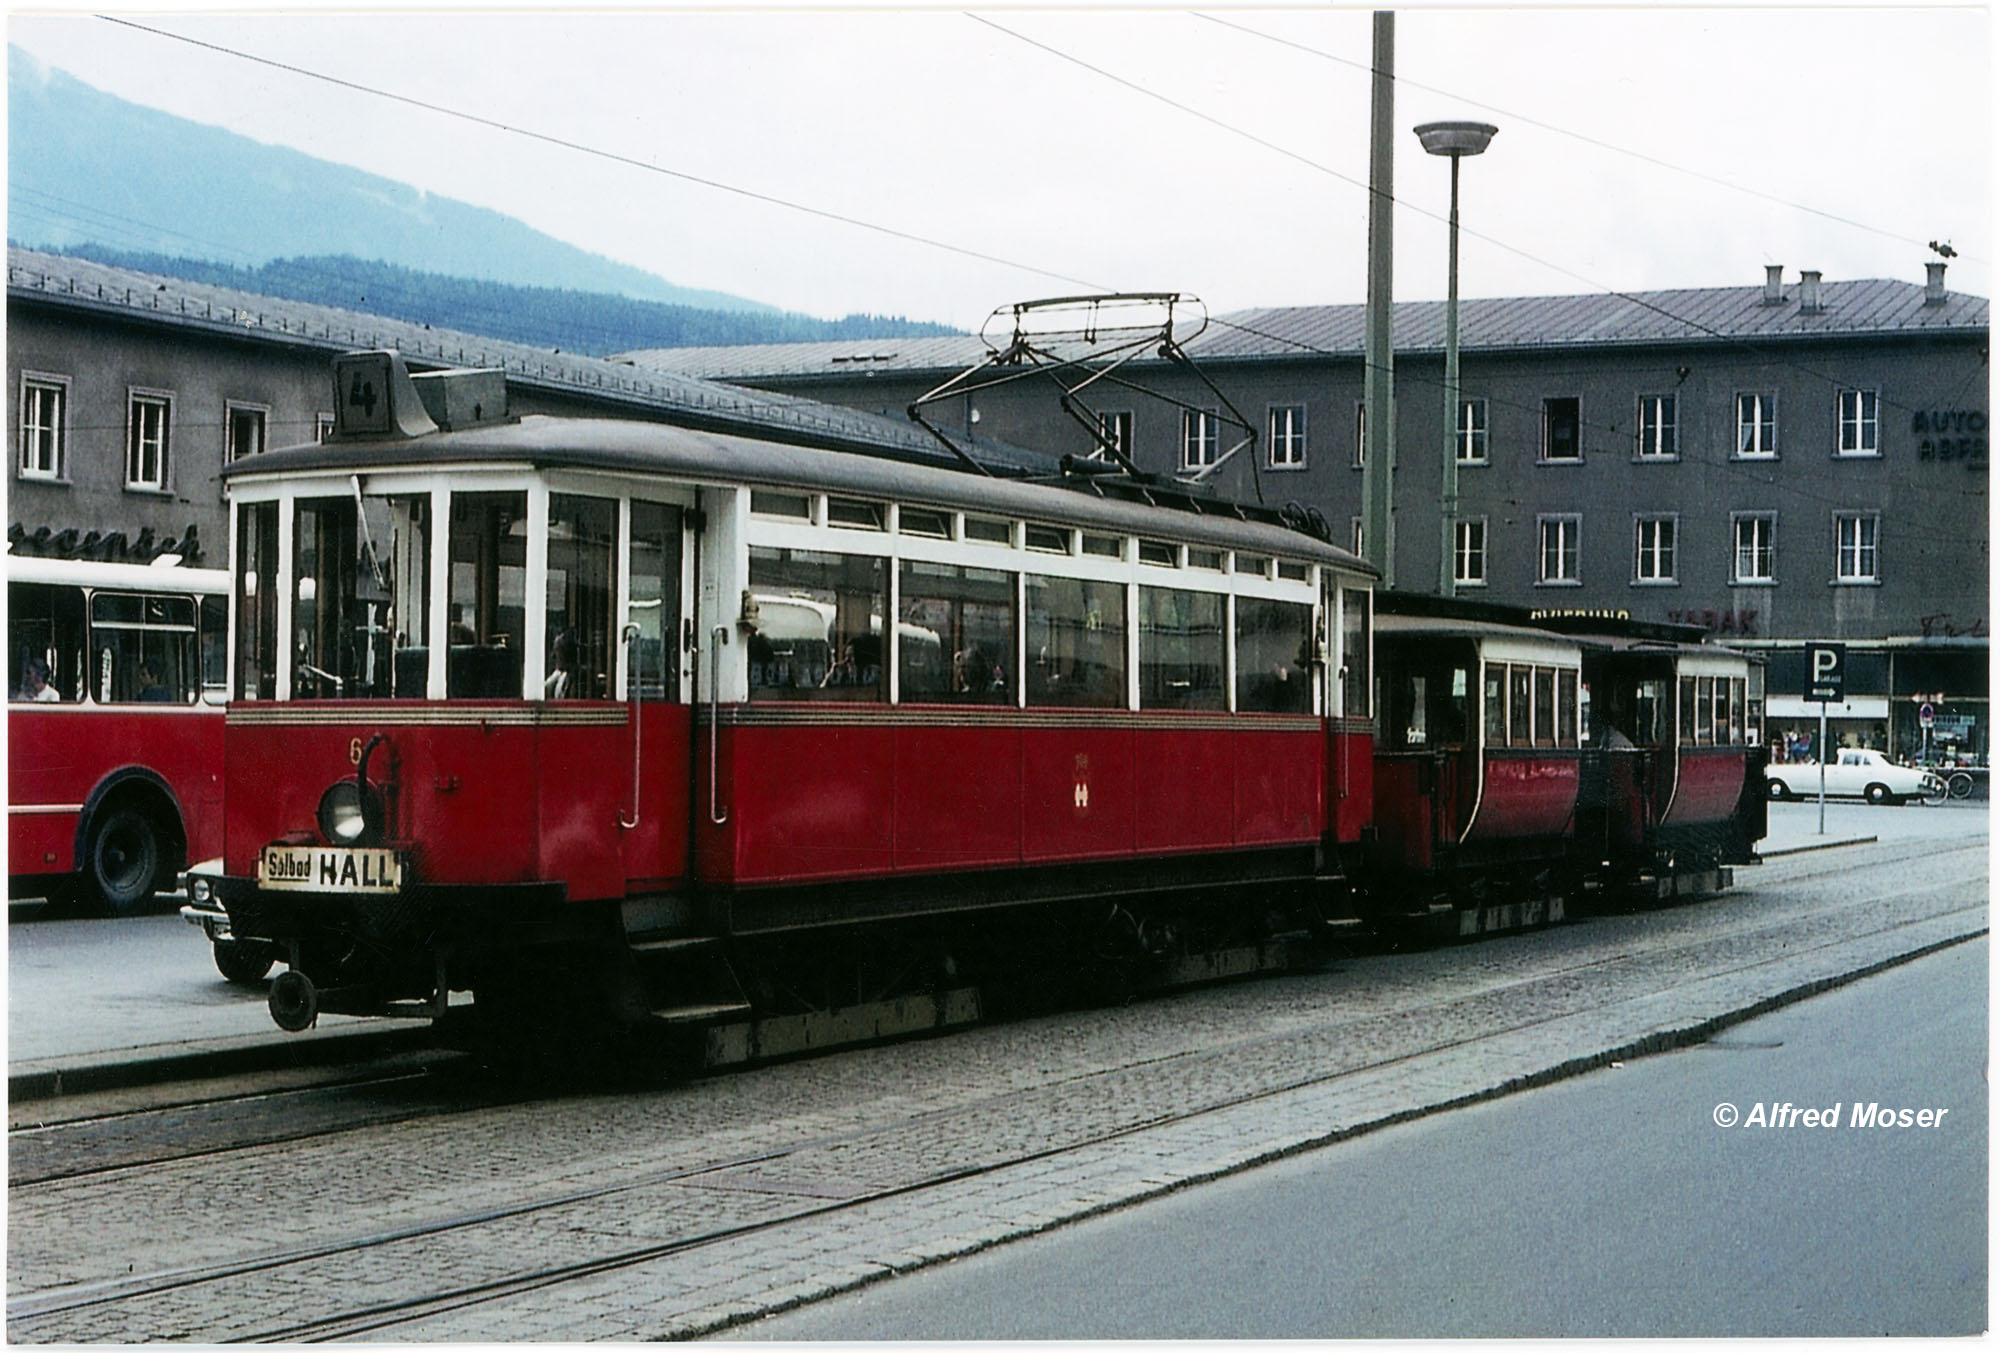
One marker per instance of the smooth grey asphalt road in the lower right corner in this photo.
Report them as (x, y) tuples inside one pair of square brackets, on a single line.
[(1481, 1224)]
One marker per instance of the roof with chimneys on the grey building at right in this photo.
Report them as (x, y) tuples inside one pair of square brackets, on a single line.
[(1733, 315)]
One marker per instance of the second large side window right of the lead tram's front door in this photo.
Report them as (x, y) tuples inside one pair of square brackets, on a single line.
[(957, 635)]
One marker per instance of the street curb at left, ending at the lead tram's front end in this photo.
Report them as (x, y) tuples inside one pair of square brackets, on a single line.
[(53, 1078)]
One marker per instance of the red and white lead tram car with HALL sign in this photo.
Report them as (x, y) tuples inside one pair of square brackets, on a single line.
[(575, 716)]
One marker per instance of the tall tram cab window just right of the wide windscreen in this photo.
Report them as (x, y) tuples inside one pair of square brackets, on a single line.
[(489, 595)]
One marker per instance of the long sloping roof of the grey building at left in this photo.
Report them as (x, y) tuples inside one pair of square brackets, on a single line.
[(221, 311)]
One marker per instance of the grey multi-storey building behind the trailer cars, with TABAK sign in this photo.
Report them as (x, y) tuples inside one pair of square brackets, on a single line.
[(1777, 463)]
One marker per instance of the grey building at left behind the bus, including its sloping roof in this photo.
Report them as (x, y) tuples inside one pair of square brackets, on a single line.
[(133, 391)]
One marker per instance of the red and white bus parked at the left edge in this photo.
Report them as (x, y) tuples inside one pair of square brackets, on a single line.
[(117, 678)]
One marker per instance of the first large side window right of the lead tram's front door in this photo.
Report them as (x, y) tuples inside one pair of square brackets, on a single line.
[(819, 633)]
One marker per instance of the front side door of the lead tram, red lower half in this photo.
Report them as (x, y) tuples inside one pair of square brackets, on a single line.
[(655, 663)]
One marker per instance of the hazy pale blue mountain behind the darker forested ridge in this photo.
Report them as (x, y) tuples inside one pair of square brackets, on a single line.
[(93, 169)]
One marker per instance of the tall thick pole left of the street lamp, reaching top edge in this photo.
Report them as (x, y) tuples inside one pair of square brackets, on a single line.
[(1379, 391)]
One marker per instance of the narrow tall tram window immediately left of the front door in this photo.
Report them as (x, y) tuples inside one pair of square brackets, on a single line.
[(583, 591)]
